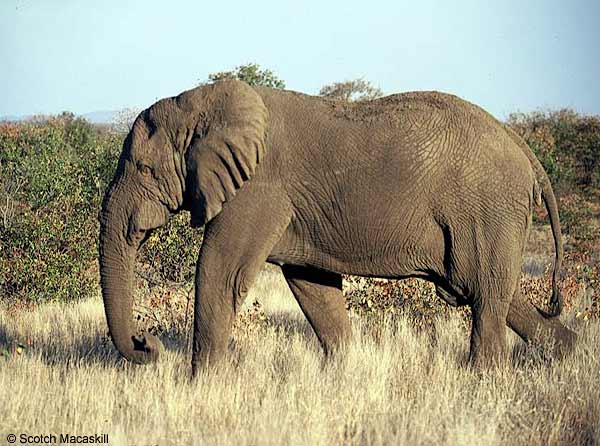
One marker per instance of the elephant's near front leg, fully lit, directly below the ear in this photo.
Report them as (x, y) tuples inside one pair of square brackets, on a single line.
[(235, 247)]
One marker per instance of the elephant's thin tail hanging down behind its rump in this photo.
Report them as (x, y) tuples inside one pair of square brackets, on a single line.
[(543, 189)]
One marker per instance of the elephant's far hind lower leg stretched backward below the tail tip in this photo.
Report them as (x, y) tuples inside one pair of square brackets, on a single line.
[(527, 321)]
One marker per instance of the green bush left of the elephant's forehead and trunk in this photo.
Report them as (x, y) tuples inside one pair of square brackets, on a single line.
[(53, 175)]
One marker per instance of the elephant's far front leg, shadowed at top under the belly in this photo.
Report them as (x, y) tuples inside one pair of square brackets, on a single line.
[(319, 294)]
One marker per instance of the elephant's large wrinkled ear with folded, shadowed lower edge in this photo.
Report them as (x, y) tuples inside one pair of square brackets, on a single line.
[(226, 148)]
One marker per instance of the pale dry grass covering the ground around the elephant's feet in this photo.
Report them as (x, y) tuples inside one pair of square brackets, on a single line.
[(394, 386)]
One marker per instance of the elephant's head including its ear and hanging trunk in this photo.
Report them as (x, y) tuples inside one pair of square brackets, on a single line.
[(190, 152)]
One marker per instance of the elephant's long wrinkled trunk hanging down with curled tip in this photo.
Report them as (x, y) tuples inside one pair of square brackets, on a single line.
[(117, 260)]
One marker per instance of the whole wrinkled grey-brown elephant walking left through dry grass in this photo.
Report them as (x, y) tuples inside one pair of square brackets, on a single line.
[(411, 185)]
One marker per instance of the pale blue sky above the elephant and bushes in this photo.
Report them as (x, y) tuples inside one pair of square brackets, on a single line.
[(508, 55)]
